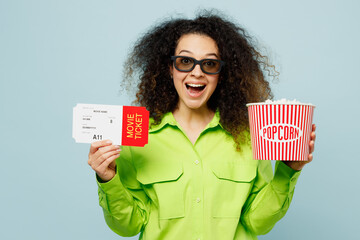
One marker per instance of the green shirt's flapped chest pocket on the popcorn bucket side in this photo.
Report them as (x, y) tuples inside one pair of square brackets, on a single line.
[(232, 183)]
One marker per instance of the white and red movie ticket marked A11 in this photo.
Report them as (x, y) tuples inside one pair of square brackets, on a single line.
[(123, 125)]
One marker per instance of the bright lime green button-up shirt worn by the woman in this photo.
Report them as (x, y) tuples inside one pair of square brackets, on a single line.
[(172, 189)]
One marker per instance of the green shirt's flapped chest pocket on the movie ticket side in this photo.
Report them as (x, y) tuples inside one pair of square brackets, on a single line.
[(164, 182)]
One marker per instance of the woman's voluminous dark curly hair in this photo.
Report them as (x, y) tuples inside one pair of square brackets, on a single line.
[(241, 80)]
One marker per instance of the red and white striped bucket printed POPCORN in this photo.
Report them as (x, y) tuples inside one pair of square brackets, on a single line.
[(280, 131)]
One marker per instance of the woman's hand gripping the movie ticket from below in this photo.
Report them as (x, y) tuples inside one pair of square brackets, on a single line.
[(102, 157)]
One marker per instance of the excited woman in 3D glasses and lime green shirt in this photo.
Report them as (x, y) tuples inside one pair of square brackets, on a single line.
[(196, 178)]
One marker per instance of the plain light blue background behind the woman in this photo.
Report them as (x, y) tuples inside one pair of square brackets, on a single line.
[(54, 54)]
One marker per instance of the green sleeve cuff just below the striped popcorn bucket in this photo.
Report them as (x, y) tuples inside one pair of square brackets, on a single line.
[(285, 178)]
